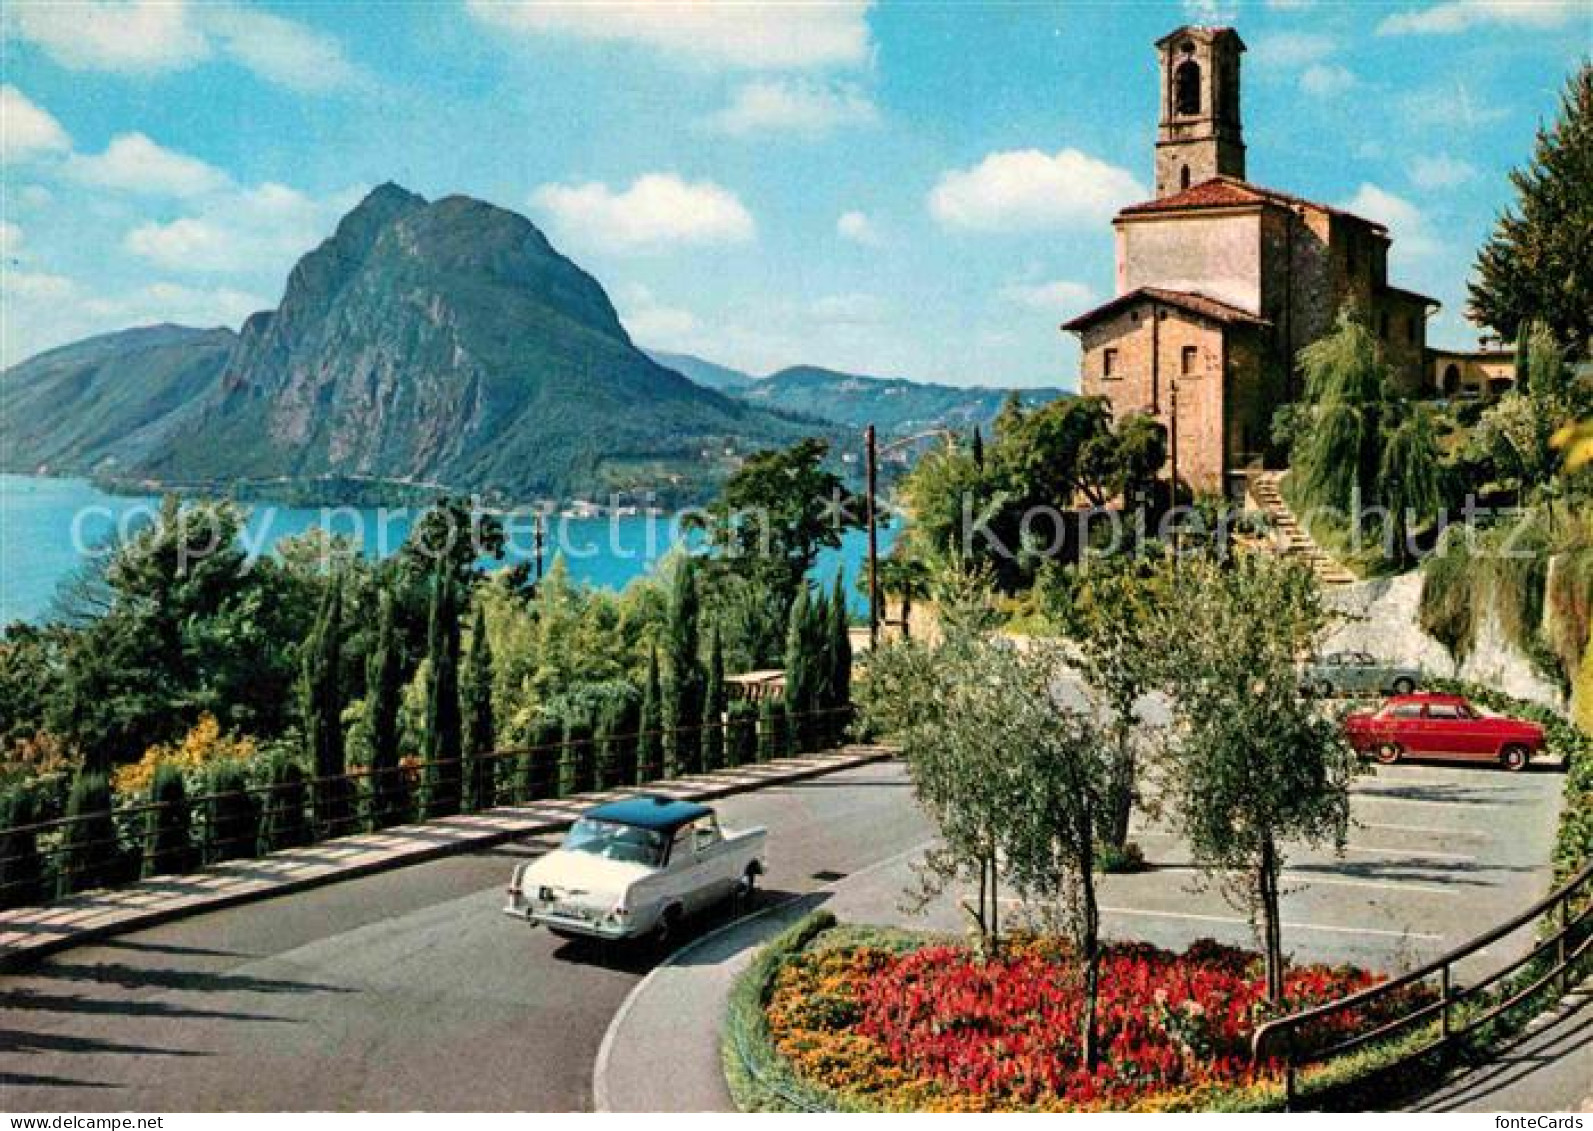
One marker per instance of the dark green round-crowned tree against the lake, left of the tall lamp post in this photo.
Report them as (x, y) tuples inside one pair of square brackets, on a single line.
[(778, 511)]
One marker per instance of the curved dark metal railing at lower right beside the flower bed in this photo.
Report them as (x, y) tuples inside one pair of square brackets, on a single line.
[(1458, 1009)]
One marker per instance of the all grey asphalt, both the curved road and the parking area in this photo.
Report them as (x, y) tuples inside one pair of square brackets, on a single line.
[(410, 992)]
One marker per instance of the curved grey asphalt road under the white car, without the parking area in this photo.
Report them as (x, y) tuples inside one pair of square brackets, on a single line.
[(399, 992)]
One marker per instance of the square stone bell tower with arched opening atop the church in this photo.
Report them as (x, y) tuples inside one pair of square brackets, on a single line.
[(1200, 135)]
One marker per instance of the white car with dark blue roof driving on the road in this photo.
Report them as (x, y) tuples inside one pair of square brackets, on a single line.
[(636, 869)]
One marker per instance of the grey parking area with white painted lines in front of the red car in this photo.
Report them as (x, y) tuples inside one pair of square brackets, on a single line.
[(1436, 856)]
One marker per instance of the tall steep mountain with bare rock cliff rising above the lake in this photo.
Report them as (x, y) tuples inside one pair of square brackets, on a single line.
[(450, 343)]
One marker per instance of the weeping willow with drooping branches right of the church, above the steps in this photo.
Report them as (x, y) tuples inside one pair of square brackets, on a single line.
[(1339, 442)]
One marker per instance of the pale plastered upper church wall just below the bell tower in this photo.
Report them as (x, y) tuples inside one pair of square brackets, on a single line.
[(1216, 256)]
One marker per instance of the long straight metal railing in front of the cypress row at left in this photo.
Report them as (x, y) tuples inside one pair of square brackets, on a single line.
[(120, 845)]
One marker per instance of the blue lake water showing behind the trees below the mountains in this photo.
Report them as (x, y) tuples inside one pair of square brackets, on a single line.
[(50, 526)]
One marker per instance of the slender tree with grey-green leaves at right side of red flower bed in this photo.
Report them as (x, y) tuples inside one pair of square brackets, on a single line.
[(1254, 767)]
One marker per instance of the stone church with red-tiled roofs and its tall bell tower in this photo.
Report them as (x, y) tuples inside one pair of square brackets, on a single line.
[(1221, 283)]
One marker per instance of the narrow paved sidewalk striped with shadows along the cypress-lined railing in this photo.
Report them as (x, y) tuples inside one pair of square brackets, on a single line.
[(28, 934)]
